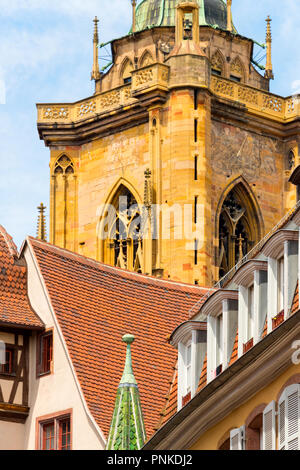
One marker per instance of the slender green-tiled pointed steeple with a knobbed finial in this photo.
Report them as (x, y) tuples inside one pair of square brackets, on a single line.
[(127, 430)]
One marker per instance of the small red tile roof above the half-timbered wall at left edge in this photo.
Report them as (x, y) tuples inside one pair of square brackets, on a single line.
[(15, 309)]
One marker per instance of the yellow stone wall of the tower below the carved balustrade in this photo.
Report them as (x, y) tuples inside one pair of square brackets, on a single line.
[(226, 154)]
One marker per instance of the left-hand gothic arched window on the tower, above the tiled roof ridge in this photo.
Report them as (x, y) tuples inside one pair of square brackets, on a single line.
[(124, 244)]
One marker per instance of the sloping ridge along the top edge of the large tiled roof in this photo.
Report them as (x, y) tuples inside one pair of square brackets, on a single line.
[(113, 270)]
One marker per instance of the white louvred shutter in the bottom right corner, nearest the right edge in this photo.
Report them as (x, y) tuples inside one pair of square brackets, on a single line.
[(289, 418)]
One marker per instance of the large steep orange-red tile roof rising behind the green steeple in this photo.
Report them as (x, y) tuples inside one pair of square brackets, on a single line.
[(96, 305)]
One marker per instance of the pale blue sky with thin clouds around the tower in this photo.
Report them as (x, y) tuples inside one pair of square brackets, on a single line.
[(46, 56)]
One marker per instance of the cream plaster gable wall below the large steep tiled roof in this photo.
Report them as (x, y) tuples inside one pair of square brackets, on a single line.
[(58, 391)]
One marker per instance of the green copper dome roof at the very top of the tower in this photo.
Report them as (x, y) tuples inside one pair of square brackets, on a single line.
[(150, 13)]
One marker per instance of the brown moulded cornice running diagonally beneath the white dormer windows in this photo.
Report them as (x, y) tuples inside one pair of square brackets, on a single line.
[(252, 372)]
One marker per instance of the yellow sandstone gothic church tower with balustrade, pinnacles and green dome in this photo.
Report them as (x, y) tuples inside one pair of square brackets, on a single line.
[(180, 162)]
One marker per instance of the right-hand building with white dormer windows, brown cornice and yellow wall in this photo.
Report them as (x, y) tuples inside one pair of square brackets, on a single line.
[(247, 375)]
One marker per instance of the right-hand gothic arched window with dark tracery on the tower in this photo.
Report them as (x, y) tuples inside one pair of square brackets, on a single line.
[(239, 229)]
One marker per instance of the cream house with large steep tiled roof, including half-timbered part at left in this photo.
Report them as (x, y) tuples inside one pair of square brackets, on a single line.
[(62, 317)]
